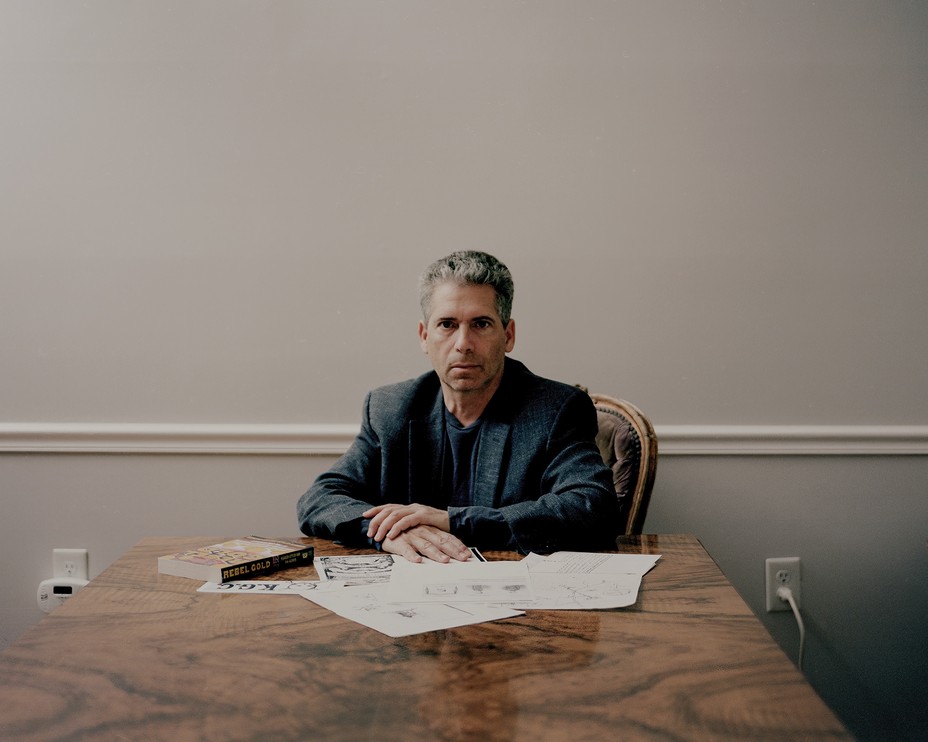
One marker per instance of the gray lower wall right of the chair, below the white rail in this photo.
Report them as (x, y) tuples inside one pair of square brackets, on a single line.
[(859, 526)]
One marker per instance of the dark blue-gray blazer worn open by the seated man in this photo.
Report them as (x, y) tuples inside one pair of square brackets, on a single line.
[(541, 482)]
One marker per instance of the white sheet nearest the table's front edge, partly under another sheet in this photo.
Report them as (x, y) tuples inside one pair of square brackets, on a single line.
[(371, 606)]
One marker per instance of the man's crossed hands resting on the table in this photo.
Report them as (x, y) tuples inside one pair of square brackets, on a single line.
[(415, 531)]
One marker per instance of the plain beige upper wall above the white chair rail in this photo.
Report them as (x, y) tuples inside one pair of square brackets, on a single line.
[(215, 212)]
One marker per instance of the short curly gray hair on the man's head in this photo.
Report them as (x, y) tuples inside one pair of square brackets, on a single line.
[(468, 267)]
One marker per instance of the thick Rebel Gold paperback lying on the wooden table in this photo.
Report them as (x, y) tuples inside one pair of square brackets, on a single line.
[(237, 559)]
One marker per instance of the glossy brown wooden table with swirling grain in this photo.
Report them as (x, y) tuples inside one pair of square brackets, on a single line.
[(142, 656)]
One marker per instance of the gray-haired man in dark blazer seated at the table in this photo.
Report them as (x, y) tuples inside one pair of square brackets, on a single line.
[(480, 452)]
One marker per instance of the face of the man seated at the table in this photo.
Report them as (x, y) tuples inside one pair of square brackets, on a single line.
[(465, 339)]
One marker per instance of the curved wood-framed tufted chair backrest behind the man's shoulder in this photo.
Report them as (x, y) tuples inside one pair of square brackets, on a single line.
[(628, 445)]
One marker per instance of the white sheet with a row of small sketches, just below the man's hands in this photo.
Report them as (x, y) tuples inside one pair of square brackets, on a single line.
[(459, 582)]
